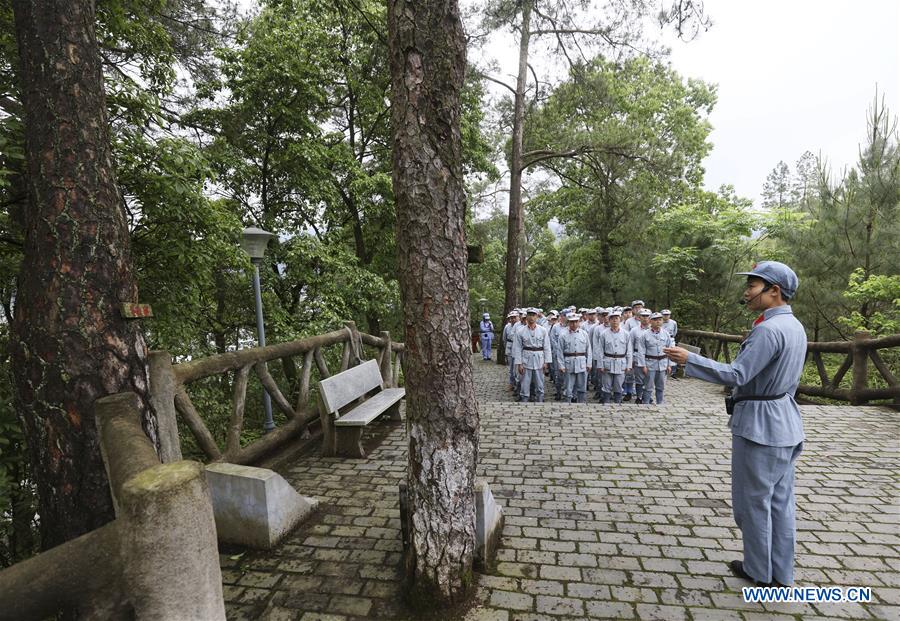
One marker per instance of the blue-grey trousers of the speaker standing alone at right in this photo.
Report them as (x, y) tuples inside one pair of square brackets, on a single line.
[(762, 496)]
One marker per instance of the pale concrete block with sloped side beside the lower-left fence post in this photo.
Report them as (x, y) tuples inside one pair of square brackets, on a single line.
[(254, 507)]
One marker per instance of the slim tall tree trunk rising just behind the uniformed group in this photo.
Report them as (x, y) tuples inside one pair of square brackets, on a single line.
[(515, 234)]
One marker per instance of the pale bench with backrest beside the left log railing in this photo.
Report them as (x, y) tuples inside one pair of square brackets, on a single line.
[(343, 419)]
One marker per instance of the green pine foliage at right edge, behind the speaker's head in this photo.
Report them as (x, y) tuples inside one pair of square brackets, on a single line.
[(835, 232)]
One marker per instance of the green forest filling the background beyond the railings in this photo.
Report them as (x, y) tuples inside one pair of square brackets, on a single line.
[(280, 120)]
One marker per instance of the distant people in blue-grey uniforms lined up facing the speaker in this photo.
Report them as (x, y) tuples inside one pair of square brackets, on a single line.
[(617, 351)]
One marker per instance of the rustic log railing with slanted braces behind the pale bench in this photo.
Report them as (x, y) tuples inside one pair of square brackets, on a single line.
[(172, 398)]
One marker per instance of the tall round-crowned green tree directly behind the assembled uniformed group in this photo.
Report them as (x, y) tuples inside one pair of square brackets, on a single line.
[(624, 141)]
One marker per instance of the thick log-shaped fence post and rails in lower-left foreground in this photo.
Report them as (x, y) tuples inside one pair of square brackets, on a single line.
[(158, 560)]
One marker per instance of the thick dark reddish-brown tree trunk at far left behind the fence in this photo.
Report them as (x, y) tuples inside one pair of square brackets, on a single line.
[(71, 345)]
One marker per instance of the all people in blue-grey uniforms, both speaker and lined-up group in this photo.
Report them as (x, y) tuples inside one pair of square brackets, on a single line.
[(625, 350)]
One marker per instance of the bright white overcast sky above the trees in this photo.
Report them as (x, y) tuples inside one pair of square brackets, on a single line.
[(792, 76)]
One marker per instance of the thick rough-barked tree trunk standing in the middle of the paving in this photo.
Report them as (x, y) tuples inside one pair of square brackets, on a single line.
[(427, 50)]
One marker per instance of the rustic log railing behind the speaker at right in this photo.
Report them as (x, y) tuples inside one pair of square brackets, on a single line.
[(858, 353)]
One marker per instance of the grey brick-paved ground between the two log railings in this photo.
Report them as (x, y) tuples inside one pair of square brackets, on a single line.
[(615, 512)]
